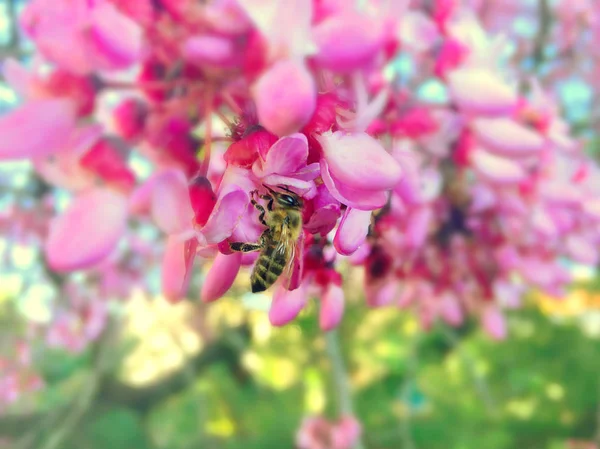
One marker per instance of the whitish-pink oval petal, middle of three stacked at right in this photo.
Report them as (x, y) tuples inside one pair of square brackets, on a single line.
[(506, 137)]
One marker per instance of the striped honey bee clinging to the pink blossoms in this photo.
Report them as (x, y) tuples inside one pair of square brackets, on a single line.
[(277, 244)]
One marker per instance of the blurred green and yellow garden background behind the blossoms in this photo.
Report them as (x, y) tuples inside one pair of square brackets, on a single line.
[(193, 375)]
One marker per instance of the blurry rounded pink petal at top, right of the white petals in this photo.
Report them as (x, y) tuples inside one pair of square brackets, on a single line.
[(347, 41)]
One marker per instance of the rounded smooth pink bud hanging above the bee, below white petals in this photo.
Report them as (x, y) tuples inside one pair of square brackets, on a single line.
[(282, 110)]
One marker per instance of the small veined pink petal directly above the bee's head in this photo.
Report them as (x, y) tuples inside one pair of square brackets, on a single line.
[(286, 156)]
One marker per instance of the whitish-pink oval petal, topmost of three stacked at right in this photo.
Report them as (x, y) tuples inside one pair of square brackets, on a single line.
[(481, 91)]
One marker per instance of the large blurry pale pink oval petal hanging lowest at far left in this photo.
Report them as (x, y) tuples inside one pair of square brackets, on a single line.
[(88, 231)]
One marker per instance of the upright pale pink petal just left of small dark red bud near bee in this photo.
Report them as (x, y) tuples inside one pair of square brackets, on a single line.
[(170, 203)]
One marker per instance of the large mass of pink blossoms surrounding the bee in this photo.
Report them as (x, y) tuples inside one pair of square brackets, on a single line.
[(172, 113)]
